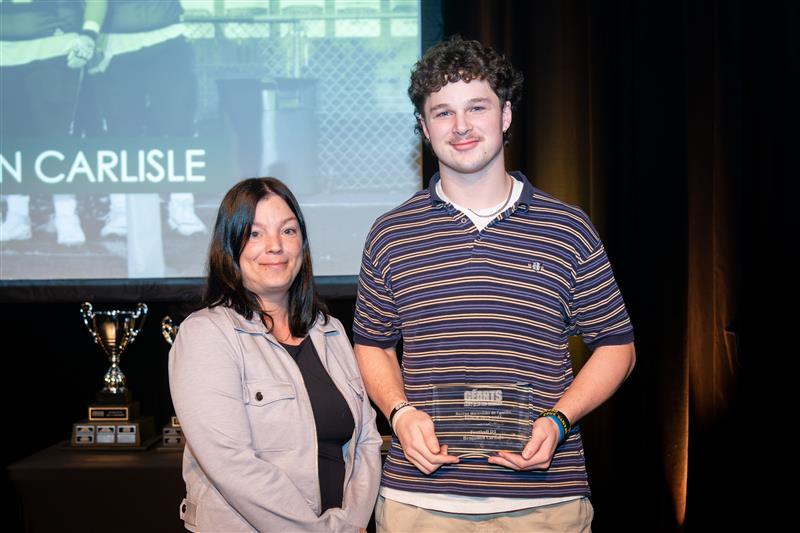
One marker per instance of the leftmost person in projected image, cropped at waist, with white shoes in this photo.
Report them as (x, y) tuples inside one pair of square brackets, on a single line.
[(44, 45)]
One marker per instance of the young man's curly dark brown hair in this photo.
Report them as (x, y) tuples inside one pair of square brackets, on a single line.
[(459, 60)]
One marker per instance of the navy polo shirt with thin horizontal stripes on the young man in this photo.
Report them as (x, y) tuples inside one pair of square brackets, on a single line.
[(491, 306)]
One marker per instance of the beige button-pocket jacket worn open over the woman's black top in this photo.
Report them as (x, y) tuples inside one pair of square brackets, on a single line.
[(250, 461)]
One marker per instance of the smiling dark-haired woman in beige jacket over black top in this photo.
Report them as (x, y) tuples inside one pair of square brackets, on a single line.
[(280, 435)]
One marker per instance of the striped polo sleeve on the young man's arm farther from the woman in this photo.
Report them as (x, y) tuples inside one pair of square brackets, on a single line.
[(597, 310)]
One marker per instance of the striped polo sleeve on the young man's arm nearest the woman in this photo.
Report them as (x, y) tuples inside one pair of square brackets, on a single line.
[(376, 321)]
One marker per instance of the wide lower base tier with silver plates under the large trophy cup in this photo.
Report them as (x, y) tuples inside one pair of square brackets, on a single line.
[(113, 434)]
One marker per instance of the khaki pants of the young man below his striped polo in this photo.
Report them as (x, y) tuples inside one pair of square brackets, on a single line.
[(571, 516)]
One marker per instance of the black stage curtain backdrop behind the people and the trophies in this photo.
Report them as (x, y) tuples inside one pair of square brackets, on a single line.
[(674, 125)]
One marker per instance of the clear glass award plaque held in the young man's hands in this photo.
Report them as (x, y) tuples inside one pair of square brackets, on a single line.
[(481, 419)]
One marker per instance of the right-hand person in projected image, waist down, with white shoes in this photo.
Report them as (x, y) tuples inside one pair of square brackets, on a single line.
[(143, 73)]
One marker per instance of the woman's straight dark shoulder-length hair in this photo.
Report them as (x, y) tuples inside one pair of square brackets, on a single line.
[(224, 285)]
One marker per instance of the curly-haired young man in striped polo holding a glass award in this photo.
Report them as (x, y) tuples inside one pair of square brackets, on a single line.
[(484, 277)]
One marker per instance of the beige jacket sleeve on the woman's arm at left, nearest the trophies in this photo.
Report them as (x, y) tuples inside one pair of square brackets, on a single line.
[(207, 391)]
